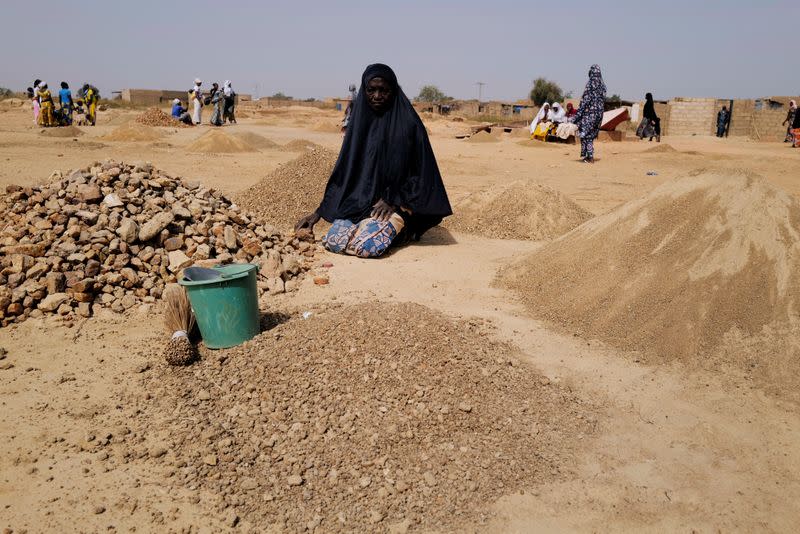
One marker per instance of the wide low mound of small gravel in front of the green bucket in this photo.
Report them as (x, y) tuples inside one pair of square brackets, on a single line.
[(314, 423)]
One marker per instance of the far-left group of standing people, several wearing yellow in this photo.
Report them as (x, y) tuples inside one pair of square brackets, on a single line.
[(82, 110)]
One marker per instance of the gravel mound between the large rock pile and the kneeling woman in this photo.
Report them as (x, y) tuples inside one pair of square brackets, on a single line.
[(292, 190)]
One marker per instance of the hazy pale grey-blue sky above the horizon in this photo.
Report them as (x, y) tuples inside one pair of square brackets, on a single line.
[(315, 48)]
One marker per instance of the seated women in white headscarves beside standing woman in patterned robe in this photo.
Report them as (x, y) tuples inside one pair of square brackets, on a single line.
[(553, 120)]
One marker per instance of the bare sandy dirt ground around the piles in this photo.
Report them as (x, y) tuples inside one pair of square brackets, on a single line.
[(675, 449)]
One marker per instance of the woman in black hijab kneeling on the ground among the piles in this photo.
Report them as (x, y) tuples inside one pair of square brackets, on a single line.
[(385, 188)]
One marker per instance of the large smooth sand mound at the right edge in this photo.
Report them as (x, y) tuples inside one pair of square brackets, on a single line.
[(674, 272)]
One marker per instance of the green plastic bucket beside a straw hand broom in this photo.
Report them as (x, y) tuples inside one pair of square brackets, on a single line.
[(226, 307)]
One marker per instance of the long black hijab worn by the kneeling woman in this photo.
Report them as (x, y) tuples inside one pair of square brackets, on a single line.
[(386, 156)]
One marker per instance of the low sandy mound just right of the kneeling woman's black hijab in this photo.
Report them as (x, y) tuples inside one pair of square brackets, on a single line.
[(520, 210)]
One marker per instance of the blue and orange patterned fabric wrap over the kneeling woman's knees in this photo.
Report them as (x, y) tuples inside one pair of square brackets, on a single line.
[(370, 238)]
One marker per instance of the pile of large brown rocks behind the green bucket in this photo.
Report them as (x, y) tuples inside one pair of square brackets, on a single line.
[(113, 235)]
